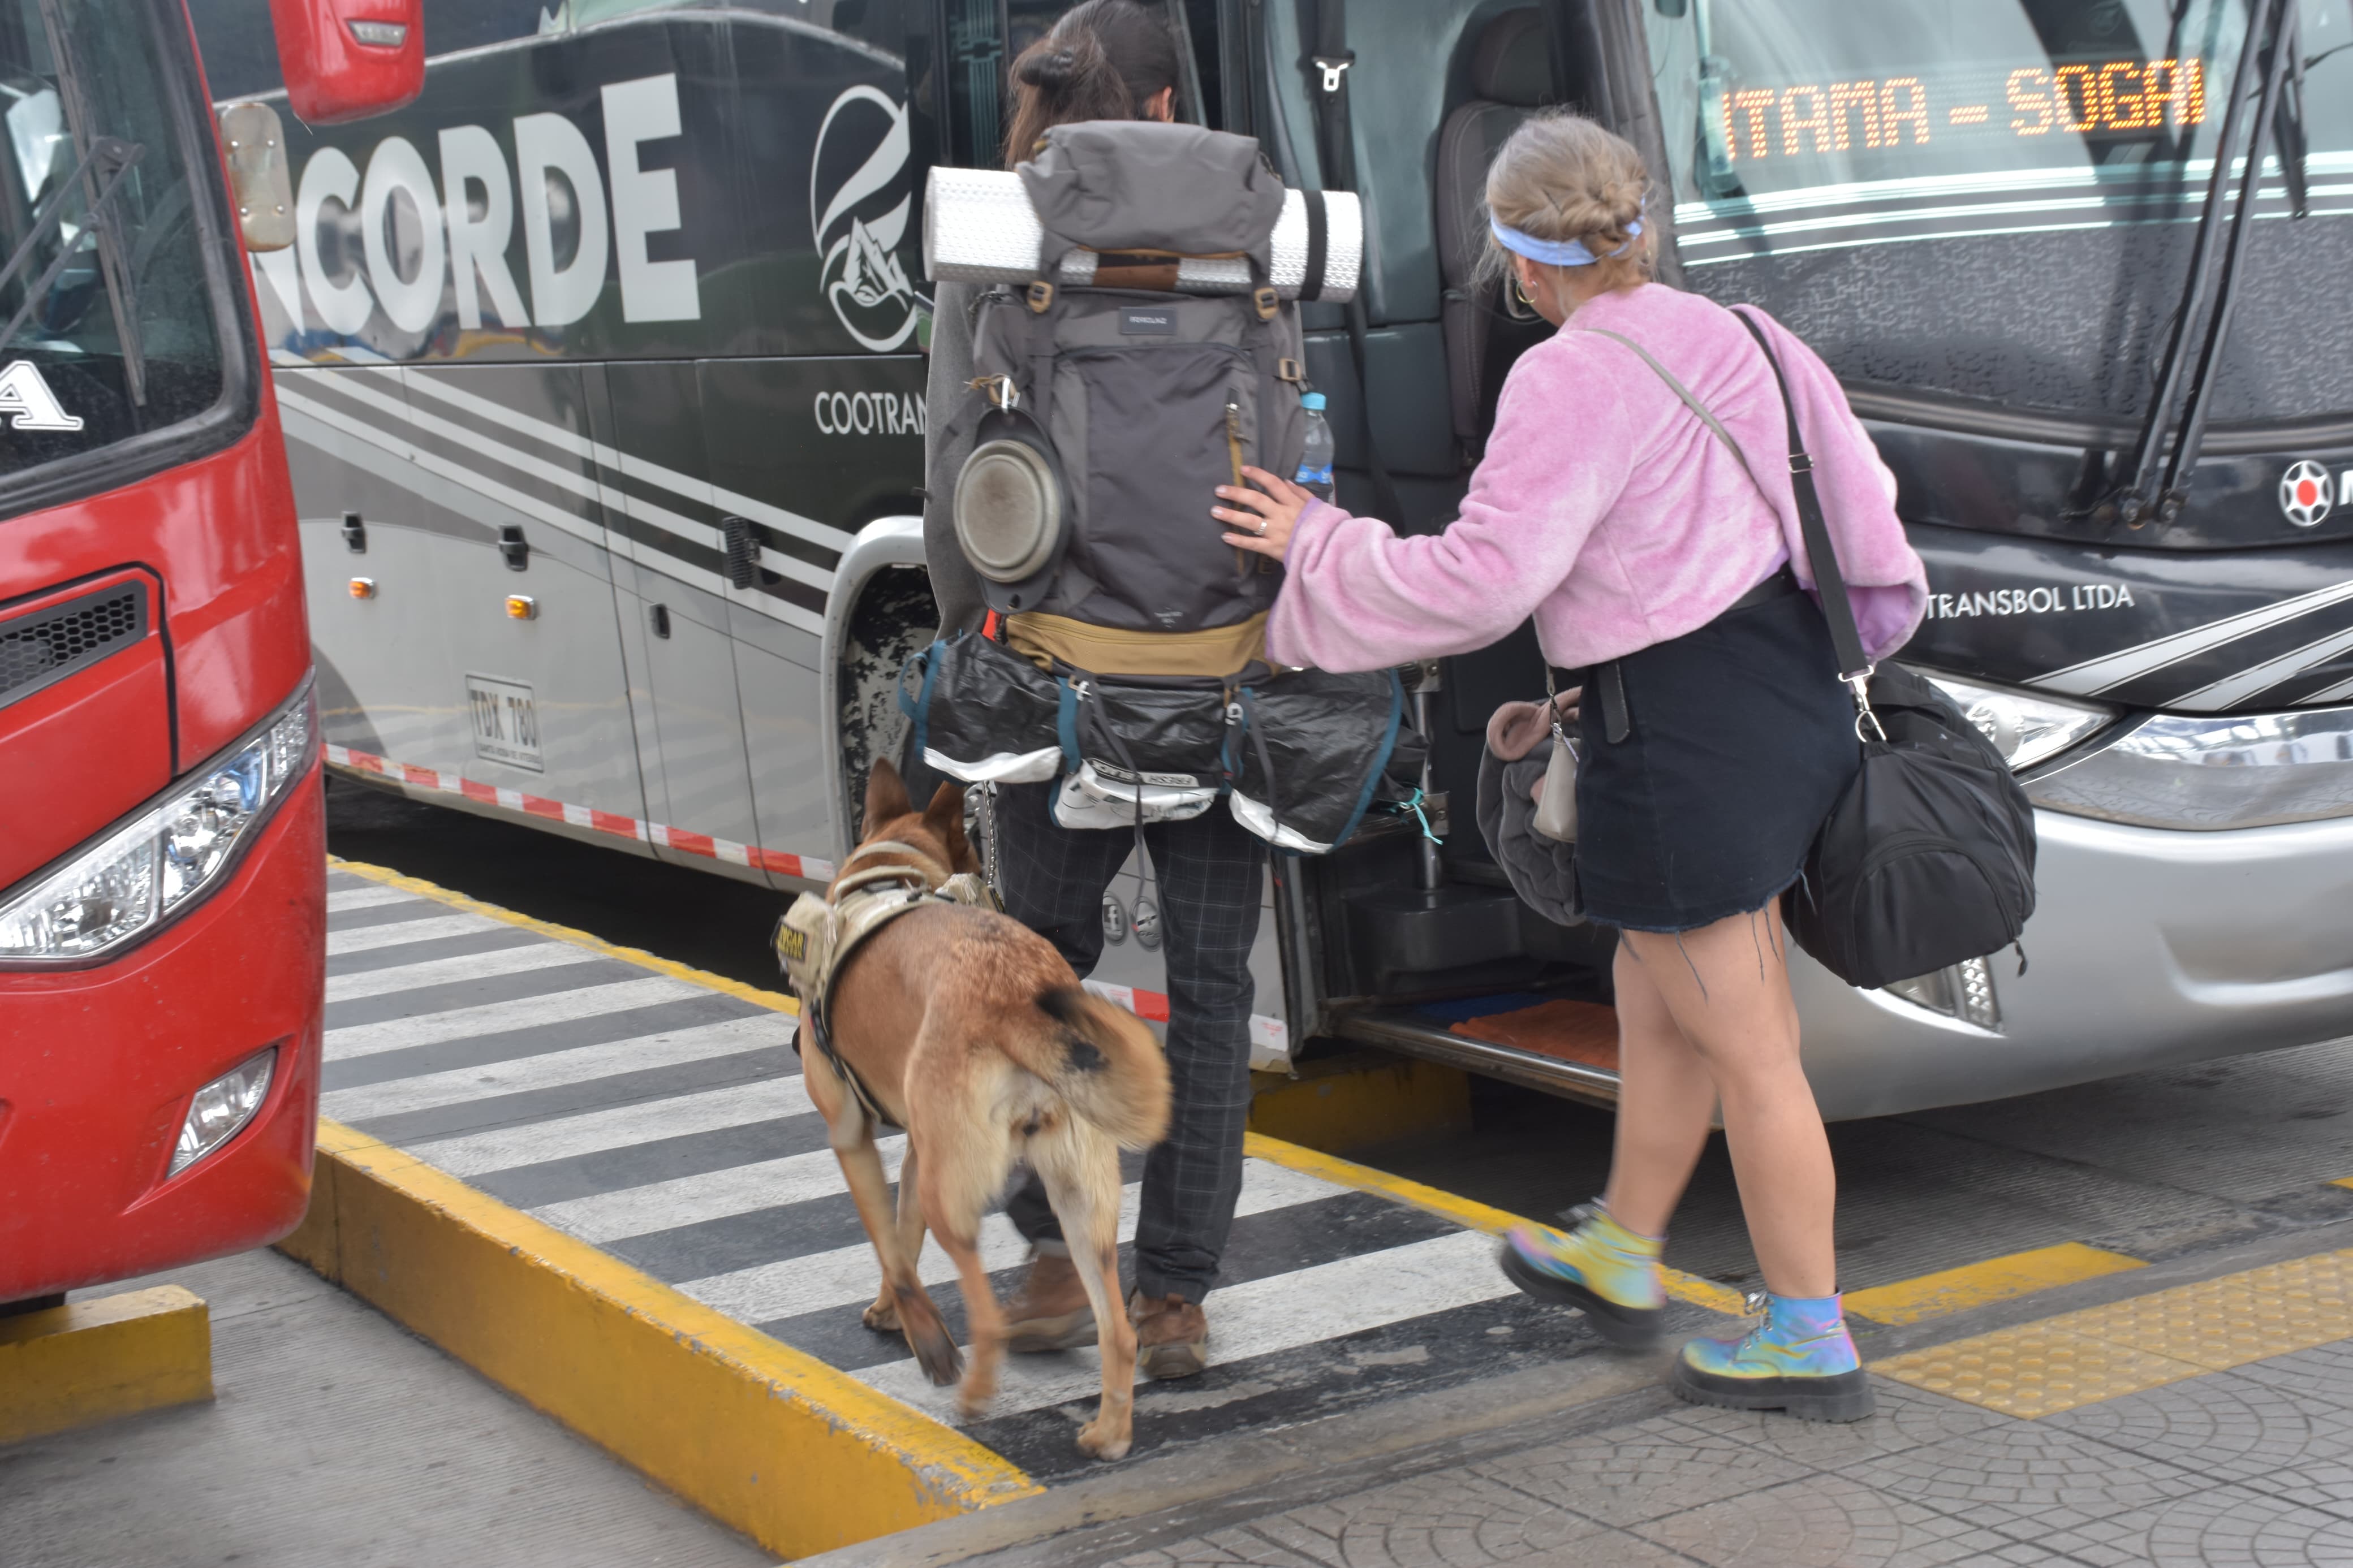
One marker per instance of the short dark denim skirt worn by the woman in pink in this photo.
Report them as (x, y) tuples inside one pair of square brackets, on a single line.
[(1740, 742)]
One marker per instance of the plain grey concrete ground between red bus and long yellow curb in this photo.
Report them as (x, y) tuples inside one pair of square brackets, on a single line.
[(335, 1438)]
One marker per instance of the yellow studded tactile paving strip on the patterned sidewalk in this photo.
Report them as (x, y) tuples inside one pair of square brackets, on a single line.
[(2234, 1320)]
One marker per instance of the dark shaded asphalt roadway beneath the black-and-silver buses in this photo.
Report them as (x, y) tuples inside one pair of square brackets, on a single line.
[(2152, 1167)]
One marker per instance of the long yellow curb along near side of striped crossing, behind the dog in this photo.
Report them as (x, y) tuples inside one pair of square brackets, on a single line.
[(768, 1440)]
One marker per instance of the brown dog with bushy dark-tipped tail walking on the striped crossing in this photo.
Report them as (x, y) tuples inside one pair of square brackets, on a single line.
[(973, 1036)]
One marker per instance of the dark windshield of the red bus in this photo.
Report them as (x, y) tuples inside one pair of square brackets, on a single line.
[(107, 321)]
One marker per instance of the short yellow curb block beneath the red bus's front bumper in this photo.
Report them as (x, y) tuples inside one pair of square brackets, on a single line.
[(88, 1362)]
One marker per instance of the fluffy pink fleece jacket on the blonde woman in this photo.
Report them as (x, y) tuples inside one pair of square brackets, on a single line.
[(1608, 511)]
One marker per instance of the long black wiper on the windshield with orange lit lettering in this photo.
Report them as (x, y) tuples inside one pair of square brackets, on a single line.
[(2178, 417)]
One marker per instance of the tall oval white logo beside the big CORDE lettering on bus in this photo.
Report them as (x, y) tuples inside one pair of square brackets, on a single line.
[(860, 206)]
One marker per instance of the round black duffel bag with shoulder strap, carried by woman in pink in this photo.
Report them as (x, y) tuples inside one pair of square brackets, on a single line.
[(1931, 855)]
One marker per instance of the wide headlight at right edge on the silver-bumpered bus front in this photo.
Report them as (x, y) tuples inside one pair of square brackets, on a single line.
[(2251, 770)]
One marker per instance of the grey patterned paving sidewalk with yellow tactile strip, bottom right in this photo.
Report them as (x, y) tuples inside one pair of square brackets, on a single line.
[(2201, 1423)]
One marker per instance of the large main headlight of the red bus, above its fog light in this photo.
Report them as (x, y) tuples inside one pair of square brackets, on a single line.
[(166, 857)]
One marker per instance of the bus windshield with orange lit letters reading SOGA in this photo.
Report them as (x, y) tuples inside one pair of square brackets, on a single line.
[(2013, 180)]
